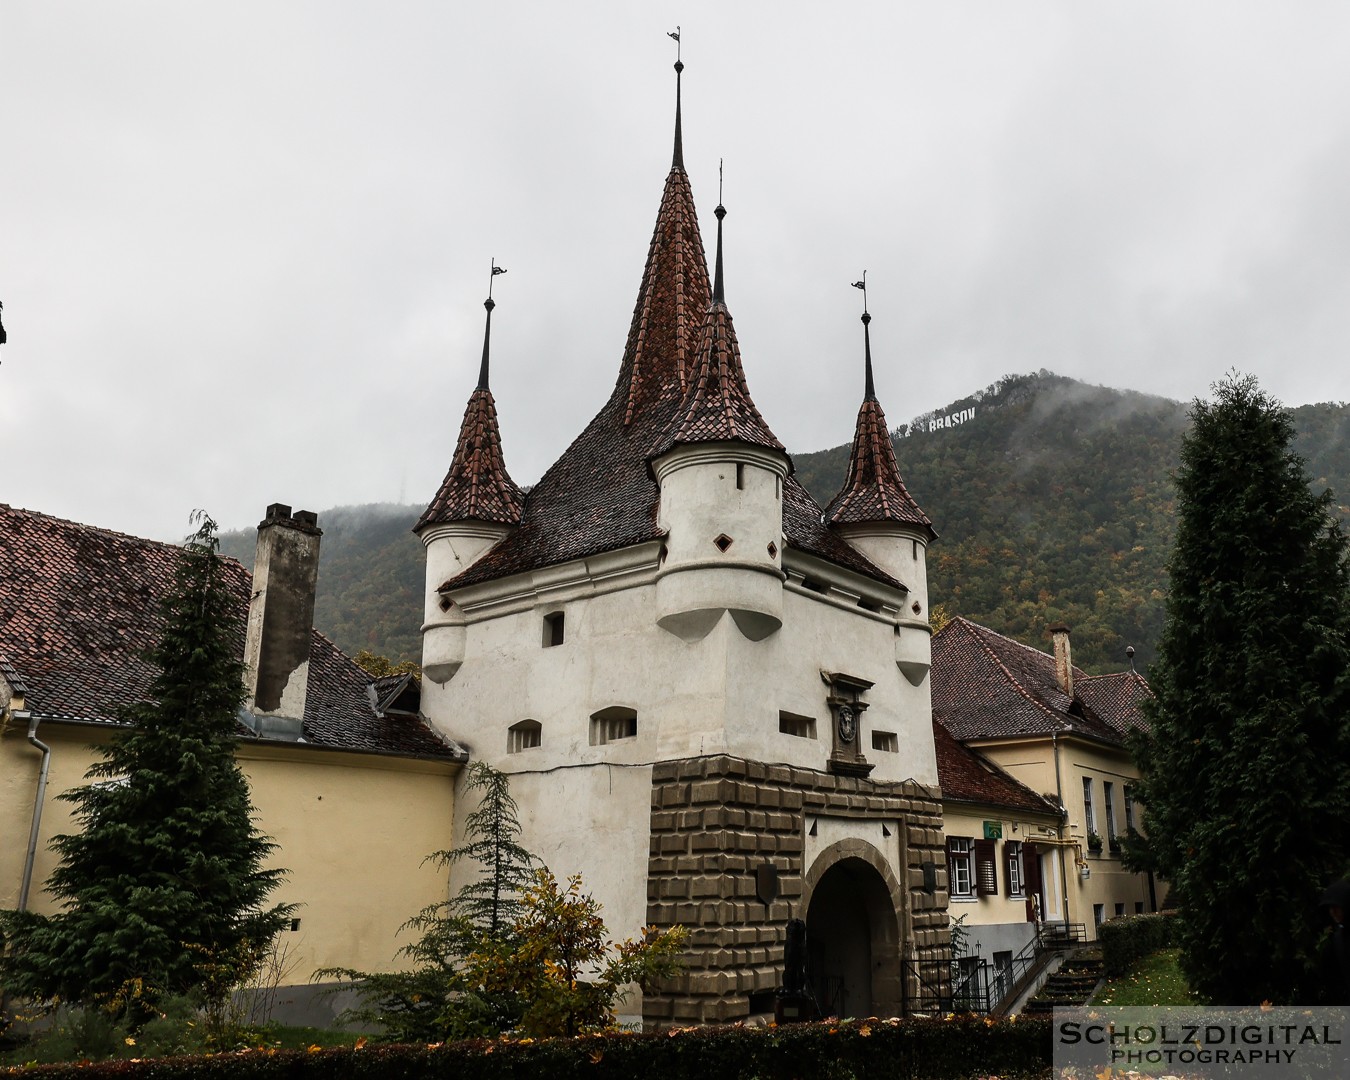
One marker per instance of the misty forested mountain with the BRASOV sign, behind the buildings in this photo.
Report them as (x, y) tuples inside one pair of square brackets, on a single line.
[(1052, 500)]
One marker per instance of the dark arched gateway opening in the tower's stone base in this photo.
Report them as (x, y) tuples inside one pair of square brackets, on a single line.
[(854, 931)]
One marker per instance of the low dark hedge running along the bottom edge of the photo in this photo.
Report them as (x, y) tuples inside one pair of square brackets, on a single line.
[(919, 1050)]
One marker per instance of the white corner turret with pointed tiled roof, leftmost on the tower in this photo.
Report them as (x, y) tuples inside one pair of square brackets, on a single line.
[(479, 504)]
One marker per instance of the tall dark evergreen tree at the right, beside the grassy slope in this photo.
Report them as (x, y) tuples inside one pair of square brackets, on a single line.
[(1247, 772)]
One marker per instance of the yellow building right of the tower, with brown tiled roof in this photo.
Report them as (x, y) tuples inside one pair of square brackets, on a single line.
[(1063, 736)]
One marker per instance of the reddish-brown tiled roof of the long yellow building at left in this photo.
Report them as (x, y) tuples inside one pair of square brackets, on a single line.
[(80, 608)]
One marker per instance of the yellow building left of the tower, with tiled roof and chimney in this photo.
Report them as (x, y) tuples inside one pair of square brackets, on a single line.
[(346, 777)]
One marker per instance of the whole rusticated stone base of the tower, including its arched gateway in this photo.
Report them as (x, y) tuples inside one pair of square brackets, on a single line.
[(742, 847)]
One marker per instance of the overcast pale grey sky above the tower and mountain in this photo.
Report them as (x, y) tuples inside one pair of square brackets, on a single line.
[(244, 248)]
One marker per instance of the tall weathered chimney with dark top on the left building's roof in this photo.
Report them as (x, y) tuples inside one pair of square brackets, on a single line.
[(281, 616)]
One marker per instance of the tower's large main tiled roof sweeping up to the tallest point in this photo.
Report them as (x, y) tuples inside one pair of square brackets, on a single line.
[(600, 495)]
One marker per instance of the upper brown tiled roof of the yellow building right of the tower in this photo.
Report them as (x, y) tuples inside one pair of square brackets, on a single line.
[(986, 685)]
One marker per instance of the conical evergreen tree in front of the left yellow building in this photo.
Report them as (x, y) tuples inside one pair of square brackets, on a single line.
[(164, 890)]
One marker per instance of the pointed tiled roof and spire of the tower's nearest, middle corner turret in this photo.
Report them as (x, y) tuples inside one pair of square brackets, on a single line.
[(719, 404)]
